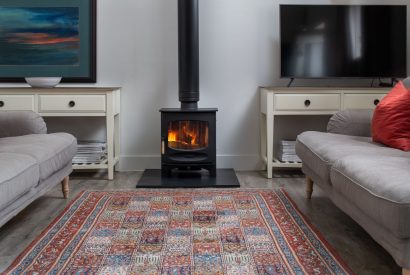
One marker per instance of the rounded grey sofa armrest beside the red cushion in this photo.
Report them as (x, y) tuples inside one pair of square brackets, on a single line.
[(352, 123)]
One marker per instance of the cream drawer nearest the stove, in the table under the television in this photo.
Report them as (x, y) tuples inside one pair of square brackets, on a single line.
[(306, 102)]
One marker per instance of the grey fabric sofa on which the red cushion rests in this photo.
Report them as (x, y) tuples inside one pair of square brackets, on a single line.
[(368, 181)]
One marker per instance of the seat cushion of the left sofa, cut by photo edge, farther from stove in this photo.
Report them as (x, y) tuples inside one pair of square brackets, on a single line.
[(19, 173)]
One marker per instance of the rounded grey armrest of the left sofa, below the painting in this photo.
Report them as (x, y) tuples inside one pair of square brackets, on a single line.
[(21, 123)]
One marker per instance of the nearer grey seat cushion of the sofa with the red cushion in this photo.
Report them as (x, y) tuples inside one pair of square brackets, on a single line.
[(379, 186)]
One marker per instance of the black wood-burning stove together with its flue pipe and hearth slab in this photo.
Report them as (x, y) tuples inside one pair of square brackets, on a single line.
[(188, 134)]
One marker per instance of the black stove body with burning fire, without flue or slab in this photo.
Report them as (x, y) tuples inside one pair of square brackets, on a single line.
[(188, 140)]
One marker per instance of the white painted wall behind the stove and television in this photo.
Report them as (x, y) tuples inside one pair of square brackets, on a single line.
[(239, 51)]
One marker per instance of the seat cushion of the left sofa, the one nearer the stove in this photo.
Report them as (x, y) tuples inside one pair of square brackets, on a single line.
[(52, 151)]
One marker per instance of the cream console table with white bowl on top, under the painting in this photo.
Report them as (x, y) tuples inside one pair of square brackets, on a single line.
[(70, 102)]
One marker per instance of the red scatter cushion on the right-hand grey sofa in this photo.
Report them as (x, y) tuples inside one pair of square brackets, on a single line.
[(391, 119)]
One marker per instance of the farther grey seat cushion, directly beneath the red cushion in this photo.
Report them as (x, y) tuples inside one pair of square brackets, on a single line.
[(320, 150)]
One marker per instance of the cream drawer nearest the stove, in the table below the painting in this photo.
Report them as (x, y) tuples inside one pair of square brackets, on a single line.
[(72, 103)]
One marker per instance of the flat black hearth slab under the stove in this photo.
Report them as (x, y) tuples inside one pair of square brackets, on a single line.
[(225, 178)]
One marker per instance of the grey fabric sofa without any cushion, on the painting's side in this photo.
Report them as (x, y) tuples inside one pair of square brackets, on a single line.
[(31, 161)]
